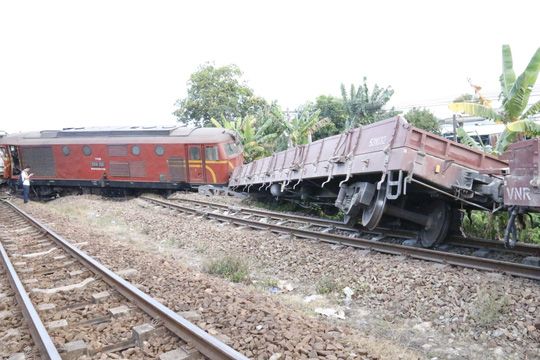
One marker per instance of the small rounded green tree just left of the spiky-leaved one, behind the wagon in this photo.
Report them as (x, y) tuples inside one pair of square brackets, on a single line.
[(333, 109)]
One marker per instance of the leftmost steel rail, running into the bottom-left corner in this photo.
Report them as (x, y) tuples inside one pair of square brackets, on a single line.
[(39, 334)]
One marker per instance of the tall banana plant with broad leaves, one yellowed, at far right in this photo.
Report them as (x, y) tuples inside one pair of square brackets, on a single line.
[(514, 95)]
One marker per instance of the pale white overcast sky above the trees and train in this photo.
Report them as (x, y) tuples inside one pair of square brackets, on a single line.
[(96, 63)]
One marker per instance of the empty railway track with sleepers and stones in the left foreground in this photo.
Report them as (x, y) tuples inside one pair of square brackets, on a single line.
[(74, 306)]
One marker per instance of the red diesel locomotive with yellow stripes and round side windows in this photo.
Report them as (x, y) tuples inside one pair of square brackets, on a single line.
[(121, 160)]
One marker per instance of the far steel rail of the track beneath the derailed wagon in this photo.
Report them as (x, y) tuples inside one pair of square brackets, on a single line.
[(520, 248)]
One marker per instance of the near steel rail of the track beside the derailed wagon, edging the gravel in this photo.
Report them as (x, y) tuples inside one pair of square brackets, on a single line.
[(527, 271)]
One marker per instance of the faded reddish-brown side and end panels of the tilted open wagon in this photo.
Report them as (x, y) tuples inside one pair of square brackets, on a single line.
[(391, 144)]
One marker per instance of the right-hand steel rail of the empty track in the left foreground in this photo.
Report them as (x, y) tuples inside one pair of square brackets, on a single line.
[(201, 340)]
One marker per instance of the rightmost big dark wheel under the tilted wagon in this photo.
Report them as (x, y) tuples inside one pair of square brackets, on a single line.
[(437, 228)]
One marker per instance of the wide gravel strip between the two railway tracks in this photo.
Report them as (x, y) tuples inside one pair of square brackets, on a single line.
[(400, 308)]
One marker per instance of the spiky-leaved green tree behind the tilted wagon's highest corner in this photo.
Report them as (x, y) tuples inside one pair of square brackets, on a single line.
[(365, 107)]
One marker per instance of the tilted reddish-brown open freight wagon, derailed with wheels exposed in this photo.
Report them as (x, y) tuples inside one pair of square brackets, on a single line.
[(389, 171)]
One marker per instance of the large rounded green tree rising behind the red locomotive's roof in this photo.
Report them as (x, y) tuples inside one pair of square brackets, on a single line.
[(219, 93)]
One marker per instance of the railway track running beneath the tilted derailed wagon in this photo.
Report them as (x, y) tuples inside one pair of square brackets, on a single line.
[(335, 232)]
